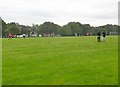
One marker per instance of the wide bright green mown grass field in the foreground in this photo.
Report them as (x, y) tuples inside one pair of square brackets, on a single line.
[(60, 61)]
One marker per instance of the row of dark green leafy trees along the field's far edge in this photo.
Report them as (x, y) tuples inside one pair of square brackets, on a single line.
[(70, 29)]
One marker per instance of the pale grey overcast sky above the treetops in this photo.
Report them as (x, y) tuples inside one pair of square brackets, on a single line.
[(28, 12)]
